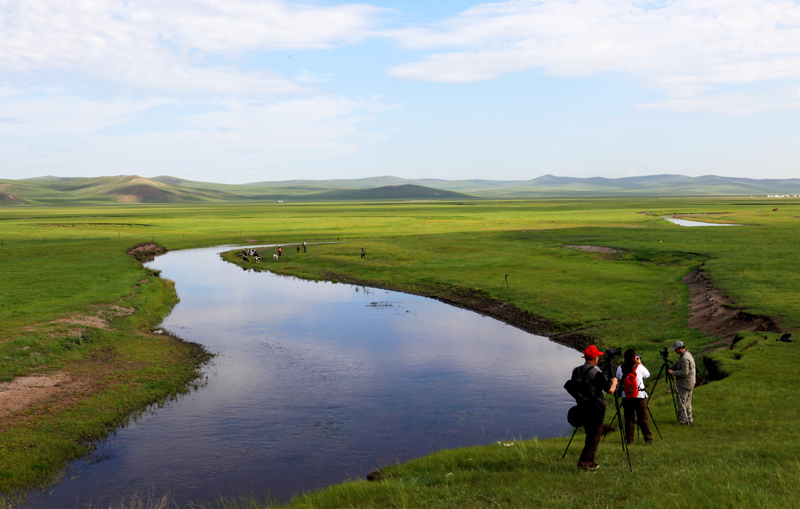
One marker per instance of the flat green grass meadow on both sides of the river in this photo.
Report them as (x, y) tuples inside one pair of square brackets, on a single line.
[(61, 262)]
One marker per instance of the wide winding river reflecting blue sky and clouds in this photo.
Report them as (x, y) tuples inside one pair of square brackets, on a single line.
[(315, 383)]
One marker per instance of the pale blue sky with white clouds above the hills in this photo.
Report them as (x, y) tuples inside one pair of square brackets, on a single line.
[(239, 91)]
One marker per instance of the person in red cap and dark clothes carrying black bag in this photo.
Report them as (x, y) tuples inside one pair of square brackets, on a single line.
[(594, 415)]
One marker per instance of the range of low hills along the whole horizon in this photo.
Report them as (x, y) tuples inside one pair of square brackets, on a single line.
[(165, 189)]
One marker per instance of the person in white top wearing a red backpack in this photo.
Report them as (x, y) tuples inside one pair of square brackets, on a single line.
[(634, 399)]
